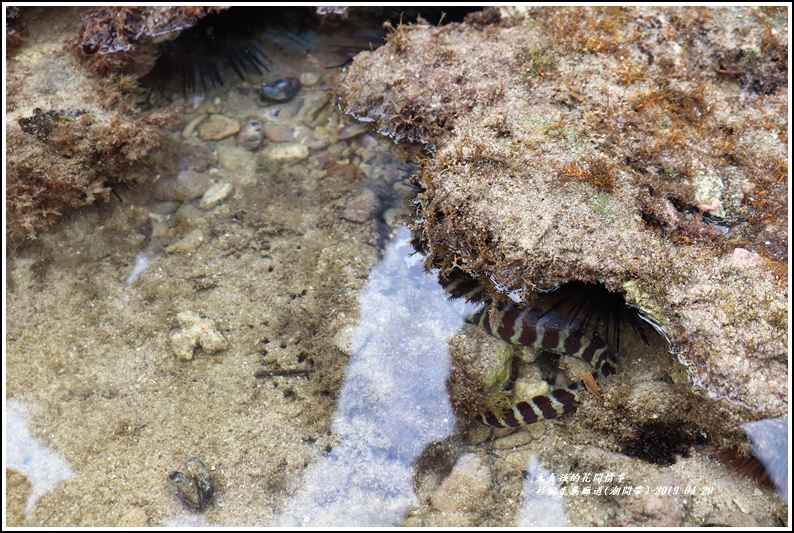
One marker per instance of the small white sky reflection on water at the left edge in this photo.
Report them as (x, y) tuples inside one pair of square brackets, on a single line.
[(44, 469)]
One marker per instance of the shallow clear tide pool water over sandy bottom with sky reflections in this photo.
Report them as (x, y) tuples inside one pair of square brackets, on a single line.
[(350, 422)]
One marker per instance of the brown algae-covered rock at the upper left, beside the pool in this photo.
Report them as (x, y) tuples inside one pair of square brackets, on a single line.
[(70, 137)]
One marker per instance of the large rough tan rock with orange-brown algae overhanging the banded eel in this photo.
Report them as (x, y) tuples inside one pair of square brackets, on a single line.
[(642, 148)]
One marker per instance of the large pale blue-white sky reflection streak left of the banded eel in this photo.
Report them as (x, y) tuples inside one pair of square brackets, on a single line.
[(393, 403)]
